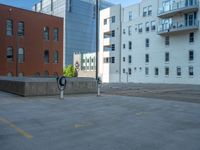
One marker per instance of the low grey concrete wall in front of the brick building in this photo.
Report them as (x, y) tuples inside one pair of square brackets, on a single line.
[(46, 86)]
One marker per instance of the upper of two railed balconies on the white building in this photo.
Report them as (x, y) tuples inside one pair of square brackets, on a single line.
[(178, 7)]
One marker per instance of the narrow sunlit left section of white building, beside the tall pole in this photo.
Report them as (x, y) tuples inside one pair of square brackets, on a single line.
[(110, 43)]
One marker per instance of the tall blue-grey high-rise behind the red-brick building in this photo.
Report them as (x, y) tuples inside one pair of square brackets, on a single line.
[(79, 23)]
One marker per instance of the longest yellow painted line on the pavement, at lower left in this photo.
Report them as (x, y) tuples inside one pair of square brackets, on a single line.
[(13, 126)]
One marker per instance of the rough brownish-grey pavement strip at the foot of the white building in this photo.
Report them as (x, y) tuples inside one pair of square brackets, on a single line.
[(175, 92)]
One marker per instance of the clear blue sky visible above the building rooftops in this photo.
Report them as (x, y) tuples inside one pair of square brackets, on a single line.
[(27, 4)]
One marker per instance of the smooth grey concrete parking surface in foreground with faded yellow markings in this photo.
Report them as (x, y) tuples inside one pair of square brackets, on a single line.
[(87, 122)]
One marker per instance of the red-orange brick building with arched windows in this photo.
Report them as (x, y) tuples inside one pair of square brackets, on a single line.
[(34, 39)]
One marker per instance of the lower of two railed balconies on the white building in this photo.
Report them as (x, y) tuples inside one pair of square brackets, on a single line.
[(178, 27)]
